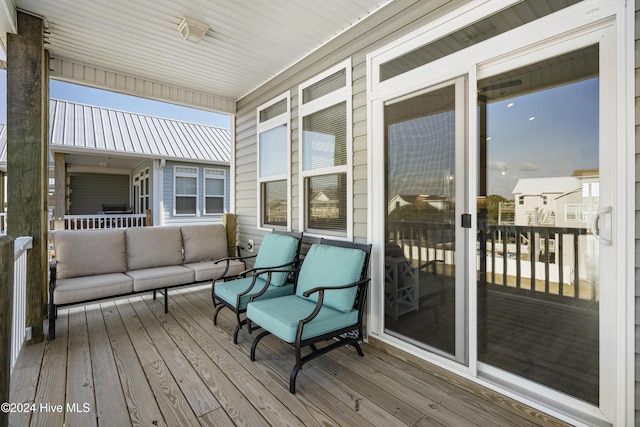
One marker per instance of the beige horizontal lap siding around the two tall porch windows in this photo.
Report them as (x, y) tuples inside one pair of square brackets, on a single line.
[(398, 18)]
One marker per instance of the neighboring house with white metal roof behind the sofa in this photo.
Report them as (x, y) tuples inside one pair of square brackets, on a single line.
[(121, 162)]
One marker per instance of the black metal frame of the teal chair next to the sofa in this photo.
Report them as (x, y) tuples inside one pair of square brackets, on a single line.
[(219, 303)]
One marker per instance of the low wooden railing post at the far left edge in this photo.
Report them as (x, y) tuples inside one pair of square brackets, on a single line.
[(6, 318)]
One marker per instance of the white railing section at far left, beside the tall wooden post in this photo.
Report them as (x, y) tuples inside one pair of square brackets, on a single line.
[(19, 320)]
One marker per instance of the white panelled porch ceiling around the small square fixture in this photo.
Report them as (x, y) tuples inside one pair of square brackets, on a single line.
[(97, 42)]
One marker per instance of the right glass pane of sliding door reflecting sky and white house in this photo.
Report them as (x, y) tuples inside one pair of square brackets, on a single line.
[(539, 195)]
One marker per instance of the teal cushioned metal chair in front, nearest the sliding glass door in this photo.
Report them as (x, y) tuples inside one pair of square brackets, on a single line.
[(331, 288)]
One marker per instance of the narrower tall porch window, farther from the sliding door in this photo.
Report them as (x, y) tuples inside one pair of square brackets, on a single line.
[(273, 163)]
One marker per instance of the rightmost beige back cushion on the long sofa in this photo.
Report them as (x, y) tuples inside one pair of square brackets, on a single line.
[(204, 242)]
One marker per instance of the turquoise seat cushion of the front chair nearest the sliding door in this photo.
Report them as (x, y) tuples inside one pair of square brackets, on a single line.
[(280, 316)]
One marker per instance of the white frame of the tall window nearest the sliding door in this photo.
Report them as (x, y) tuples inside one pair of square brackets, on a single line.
[(338, 96)]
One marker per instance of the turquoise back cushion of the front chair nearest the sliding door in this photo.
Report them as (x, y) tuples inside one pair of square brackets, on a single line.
[(326, 265)]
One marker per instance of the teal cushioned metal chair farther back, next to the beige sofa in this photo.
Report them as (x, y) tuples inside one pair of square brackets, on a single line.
[(278, 250)]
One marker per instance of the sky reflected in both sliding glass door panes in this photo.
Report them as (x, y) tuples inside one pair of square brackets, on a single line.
[(546, 133)]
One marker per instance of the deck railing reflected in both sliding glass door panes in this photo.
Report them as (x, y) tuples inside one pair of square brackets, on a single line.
[(541, 262)]
